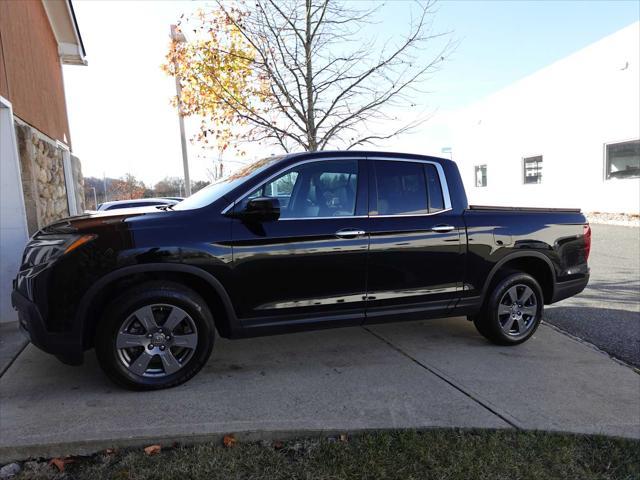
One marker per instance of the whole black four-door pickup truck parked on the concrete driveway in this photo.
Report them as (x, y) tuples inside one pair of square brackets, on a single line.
[(290, 243)]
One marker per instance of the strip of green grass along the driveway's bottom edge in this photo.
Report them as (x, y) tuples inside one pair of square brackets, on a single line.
[(432, 454)]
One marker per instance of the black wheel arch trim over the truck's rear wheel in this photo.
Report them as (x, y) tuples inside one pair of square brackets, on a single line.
[(535, 264)]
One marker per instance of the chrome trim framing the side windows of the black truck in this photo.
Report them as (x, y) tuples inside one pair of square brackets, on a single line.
[(443, 184)]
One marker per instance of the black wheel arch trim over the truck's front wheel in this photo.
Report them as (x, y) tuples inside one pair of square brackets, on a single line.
[(201, 281)]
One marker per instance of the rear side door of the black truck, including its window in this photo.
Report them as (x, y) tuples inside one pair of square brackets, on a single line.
[(415, 257)]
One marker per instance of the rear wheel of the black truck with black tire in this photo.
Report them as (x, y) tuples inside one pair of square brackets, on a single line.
[(492, 325)]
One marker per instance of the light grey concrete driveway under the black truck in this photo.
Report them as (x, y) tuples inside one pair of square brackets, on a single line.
[(438, 373)]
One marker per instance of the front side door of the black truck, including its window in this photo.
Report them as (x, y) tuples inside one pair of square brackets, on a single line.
[(311, 263)]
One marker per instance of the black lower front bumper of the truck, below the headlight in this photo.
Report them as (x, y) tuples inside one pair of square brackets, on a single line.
[(66, 346)]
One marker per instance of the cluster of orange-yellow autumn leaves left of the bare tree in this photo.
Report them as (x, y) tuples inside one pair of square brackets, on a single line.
[(219, 77)]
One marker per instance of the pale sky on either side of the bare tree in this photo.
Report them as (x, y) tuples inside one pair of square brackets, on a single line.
[(119, 107)]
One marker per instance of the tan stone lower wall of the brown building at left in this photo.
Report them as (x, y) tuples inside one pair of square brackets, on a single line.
[(43, 178)]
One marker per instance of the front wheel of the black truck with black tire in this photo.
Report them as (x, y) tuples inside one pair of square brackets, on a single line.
[(160, 297)]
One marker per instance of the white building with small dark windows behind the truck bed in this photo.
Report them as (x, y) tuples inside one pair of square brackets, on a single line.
[(566, 136)]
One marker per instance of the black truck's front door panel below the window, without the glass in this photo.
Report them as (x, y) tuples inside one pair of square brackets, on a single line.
[(299, 264)]
